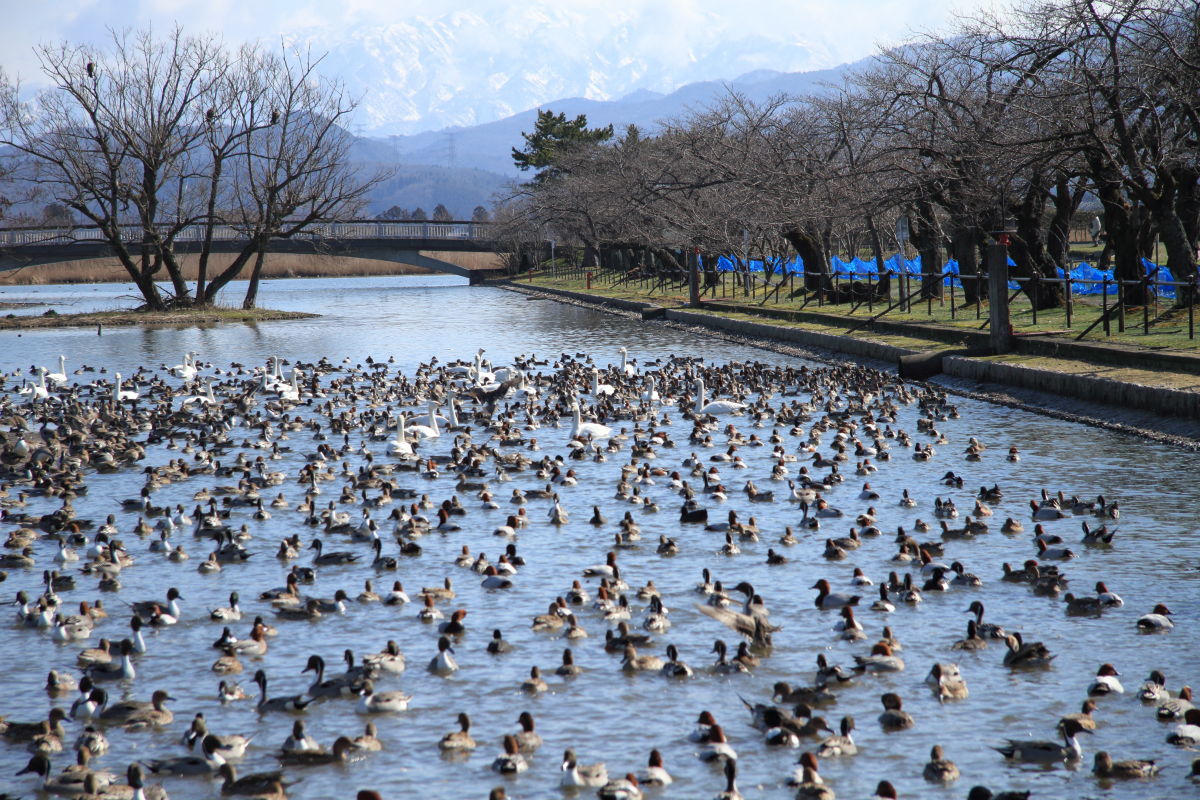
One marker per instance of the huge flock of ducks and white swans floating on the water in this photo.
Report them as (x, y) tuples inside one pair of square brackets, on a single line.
[(376, 471)]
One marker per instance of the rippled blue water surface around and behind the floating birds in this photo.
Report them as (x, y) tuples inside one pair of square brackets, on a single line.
[(607, 715)]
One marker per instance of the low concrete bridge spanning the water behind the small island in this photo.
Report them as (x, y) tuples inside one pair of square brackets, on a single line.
[(465, 249)]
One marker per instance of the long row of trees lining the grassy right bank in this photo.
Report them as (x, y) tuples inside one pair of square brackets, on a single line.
[(1007, 124)]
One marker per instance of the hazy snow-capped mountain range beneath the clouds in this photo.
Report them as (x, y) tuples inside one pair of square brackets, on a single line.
[(467, 68)]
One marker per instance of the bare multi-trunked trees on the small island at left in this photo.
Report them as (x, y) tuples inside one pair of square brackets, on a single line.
[(155, 136)]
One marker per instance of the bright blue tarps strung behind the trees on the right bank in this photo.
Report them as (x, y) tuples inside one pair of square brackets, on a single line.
[(860, 269)]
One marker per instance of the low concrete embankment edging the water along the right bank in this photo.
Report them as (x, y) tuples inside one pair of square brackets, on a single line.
[(1179, 432)]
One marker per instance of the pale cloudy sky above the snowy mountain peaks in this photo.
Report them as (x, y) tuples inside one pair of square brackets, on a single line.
[(833, 32)]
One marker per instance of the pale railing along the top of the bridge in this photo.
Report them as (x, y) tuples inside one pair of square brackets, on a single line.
[(328, 231)]
